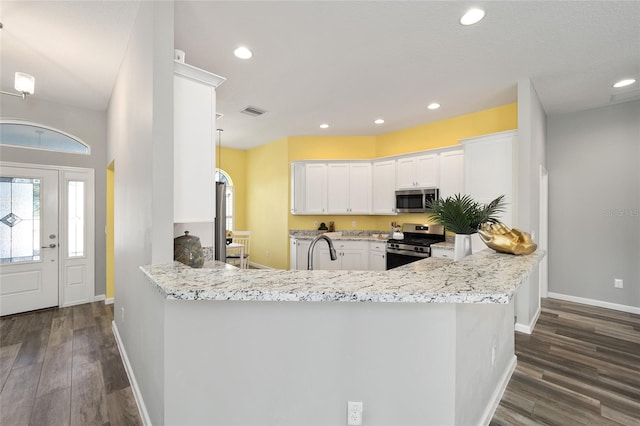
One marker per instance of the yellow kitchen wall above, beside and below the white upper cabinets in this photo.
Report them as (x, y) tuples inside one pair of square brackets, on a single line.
[(267, 170)]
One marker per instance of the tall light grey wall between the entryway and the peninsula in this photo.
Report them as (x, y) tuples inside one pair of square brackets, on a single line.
[(140, 137)]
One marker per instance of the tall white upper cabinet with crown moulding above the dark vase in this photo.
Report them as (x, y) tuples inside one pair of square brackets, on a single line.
[(194, 124)]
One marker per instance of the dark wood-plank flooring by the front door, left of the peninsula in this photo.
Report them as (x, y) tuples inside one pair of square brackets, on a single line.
[(62, 367)]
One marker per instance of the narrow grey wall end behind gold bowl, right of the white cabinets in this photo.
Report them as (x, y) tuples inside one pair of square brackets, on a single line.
[(530, 156)]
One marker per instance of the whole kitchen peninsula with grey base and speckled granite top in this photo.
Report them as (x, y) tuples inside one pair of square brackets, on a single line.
[(427, 343)]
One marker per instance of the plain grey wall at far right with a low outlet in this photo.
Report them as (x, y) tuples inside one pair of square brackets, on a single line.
[(593, 158)]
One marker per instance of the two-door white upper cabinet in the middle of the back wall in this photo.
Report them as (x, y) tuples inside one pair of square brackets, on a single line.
[(349, 188)]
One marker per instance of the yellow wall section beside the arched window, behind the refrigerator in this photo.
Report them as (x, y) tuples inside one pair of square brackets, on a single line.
[(234, 162)]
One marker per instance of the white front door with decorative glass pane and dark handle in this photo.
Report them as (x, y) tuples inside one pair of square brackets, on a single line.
[(29, 245)]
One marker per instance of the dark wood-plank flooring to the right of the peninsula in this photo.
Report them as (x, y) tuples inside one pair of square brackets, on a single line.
[(580, 366)]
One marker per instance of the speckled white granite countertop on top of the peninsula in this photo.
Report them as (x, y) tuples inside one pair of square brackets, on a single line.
[(484, 277)]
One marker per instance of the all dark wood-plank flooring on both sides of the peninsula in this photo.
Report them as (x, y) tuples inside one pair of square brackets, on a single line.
[(581, 366)]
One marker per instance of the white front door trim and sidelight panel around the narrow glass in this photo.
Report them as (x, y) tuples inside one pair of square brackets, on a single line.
[(76, 276)]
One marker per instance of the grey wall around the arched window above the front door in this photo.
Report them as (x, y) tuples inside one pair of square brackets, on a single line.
[(89, 126)]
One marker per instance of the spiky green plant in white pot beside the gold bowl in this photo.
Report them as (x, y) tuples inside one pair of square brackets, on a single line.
[(463, 215)]
